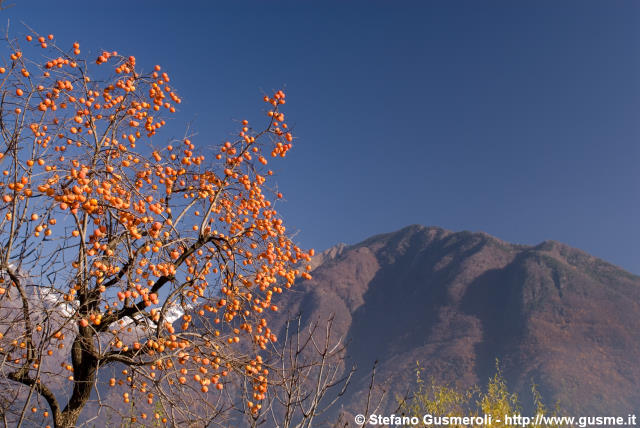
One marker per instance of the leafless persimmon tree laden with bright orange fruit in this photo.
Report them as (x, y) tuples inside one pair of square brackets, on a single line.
[(120, 252)]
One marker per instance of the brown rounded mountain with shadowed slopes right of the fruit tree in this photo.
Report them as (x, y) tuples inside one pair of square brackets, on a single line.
[(455, 302)]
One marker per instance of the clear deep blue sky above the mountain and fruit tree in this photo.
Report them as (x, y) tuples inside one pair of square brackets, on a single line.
[(519, 119)]
